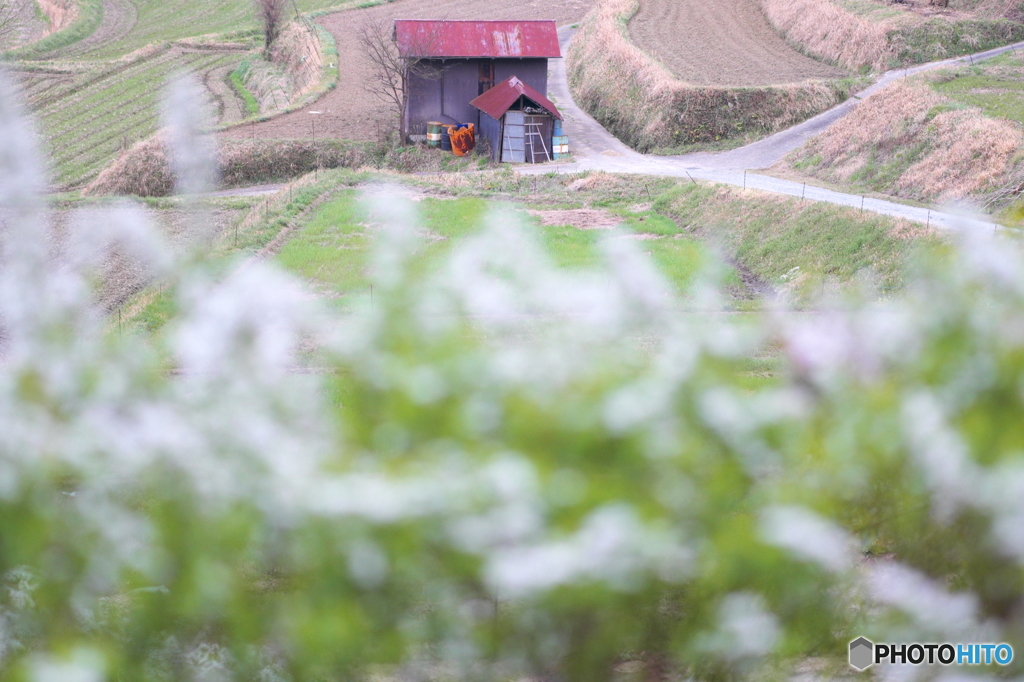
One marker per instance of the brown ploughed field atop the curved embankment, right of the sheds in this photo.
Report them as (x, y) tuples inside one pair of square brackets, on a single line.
[(726, 44)]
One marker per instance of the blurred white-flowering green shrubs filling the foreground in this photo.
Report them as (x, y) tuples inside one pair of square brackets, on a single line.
[(498, 470)]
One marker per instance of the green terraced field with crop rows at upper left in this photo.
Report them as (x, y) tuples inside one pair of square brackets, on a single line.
[(100, 95)]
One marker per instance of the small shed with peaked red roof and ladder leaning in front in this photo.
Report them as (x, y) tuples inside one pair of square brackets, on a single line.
[(518, 121)]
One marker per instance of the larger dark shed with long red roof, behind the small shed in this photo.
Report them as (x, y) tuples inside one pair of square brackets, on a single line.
[(458, 62)]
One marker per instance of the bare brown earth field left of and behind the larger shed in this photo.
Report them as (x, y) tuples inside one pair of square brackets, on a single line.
[(350, 112)]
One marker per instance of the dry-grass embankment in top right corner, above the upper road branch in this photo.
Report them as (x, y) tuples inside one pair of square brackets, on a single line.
[(870, 35)]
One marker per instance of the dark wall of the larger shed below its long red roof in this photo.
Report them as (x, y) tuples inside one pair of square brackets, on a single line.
[(447, 99)]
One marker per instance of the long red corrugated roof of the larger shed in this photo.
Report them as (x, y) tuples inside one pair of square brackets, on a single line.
[(477, 39)]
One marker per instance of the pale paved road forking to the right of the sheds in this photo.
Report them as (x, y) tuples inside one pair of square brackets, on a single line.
[(596, 149)]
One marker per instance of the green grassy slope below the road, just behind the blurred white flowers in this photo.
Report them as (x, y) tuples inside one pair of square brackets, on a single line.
[(318, 231)]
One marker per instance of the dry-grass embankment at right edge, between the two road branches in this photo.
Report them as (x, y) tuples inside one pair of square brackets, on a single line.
[(949, 136)]
